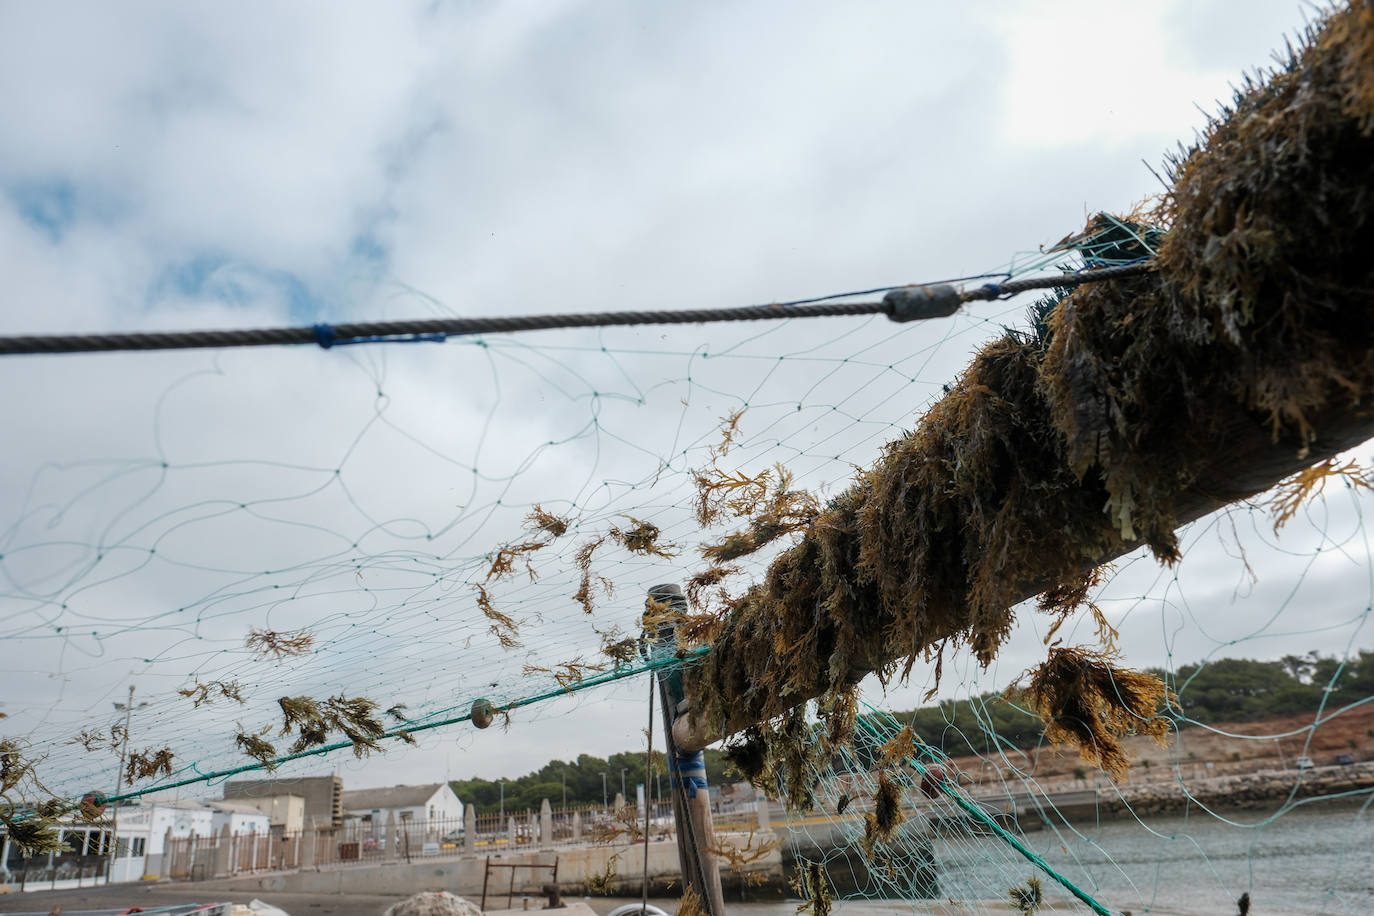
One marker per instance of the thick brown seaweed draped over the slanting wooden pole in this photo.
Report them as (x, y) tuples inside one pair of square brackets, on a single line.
[(1144, 403)]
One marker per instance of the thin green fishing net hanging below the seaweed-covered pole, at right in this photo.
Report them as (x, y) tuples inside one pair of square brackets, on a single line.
[(987, 803)]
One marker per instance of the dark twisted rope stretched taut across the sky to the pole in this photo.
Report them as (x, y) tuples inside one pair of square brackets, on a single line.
[(901, 304)]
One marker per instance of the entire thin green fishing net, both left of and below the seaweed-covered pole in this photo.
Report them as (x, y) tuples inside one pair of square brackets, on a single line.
[(308, 556)]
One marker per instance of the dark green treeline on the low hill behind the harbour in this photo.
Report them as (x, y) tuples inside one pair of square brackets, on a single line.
[(1229, 690)]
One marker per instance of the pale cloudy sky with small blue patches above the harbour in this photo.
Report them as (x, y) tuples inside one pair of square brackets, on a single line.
[(211, 165)]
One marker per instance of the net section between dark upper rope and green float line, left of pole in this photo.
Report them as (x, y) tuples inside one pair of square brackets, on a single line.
[(423, 528)]
